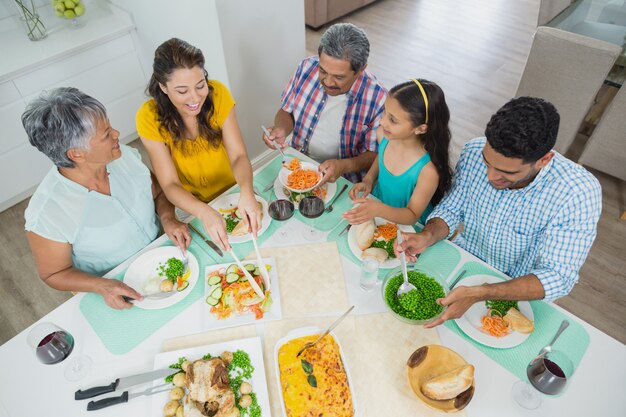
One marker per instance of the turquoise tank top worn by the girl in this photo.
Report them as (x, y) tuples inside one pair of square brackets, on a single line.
[(396, 190)]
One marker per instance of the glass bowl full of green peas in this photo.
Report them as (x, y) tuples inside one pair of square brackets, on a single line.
[(418, 306)]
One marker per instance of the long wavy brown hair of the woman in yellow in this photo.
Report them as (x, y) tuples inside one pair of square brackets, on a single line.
[(168, 57)]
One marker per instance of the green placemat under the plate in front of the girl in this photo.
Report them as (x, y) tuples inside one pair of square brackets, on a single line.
[(441, 257)]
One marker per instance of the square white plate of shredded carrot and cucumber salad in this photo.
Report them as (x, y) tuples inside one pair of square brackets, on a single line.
[(229, 299)]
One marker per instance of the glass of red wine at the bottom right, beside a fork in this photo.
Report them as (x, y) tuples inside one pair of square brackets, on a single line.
[(548, 373)]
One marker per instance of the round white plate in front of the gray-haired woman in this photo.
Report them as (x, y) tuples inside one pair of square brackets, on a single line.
[(146, 267)]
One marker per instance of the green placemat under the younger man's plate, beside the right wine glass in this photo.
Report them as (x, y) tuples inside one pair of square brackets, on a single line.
[(573, 341)]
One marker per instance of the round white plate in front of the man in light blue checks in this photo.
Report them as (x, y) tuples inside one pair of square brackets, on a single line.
[(470, 322)]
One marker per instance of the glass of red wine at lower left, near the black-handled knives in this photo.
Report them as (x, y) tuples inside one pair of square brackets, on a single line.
[(53, 344)]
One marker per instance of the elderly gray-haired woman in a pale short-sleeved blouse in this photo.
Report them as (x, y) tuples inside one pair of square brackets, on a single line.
[(97, 206)]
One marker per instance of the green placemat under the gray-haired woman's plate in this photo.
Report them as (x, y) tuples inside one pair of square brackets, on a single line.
[(122, 330)]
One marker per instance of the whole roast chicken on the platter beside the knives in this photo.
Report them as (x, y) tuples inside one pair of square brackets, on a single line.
[(209, 391)]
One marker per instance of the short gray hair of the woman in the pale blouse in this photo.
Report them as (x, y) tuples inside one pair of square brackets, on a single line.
[(62, 119)]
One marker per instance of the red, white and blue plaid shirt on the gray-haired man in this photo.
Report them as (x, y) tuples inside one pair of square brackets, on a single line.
[(304, 98)]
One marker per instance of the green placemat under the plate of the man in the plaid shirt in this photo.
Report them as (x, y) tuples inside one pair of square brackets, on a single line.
[(326, 221)]
